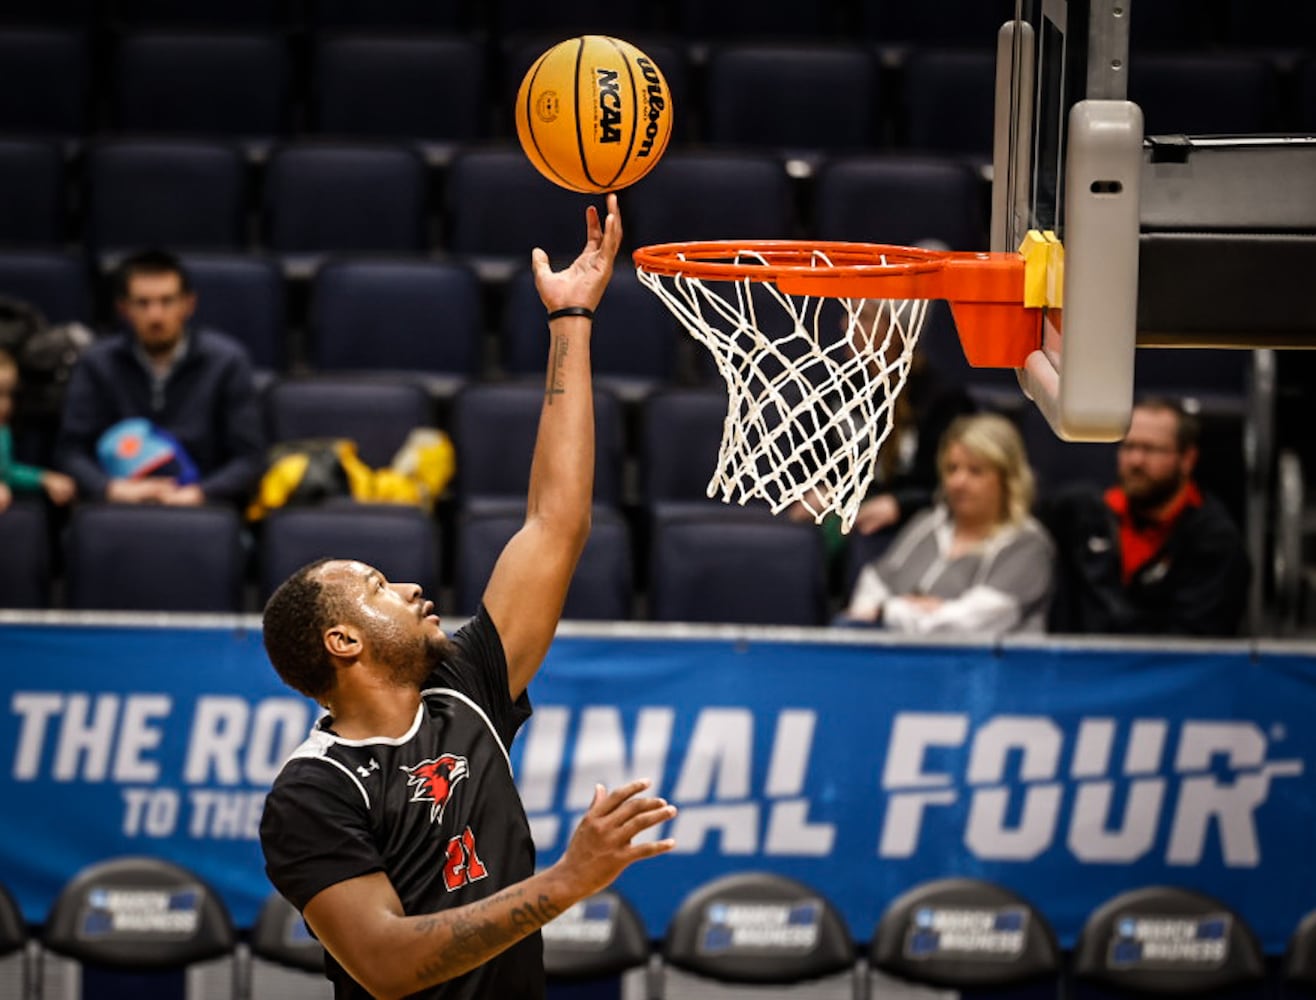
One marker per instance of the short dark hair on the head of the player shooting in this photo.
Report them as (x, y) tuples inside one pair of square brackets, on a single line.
[(294, 624)]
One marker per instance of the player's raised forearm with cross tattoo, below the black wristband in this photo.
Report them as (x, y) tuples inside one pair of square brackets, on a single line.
[(563, 470)]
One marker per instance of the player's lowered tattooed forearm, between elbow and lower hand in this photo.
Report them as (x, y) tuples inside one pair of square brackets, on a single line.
[(436, 948)]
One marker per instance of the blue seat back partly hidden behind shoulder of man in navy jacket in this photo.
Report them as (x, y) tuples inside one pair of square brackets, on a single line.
[(243, 295)]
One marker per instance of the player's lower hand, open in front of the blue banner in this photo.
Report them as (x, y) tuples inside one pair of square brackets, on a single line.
[(602, 847)]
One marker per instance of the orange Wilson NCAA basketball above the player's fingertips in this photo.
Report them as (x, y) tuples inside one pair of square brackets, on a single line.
[(594, 114)]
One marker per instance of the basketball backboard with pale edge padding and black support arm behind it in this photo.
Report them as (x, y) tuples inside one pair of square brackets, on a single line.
[(1168, 241)]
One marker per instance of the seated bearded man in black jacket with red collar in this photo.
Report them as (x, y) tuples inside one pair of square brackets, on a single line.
[(1152, 556)]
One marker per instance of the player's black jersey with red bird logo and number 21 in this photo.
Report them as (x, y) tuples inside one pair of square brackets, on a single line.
[(435, 810)]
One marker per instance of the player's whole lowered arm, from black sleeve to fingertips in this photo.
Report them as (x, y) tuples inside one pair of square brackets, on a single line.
[(363, 924)]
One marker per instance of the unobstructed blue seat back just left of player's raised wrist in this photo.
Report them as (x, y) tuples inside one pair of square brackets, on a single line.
[(419, 316)]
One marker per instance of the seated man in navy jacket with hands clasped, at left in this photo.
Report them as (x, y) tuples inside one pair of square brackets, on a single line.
[(194, 386)]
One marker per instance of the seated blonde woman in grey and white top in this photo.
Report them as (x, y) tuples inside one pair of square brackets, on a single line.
[(976, 562)]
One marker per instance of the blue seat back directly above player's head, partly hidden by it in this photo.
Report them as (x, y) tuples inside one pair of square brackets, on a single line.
[(399, 541)]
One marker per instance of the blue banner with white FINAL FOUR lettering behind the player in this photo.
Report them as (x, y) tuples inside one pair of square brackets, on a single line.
[(1064, 773)]
